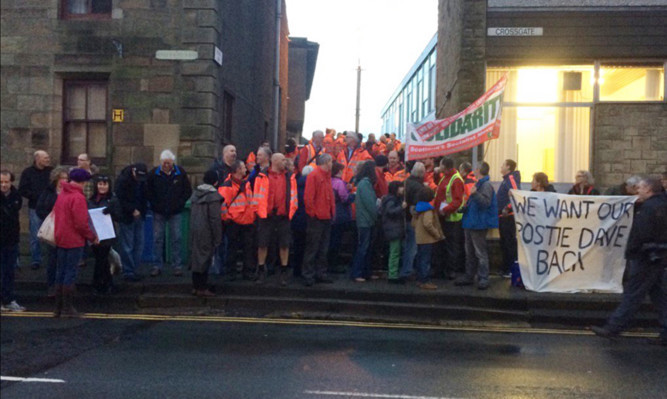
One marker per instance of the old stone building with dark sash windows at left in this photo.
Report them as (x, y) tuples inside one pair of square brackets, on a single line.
[(188, 75)]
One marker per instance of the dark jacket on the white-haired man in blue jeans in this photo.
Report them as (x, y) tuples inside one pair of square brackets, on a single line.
[(168, 194)]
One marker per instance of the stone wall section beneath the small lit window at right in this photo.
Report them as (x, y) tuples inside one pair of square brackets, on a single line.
[(628, 139)]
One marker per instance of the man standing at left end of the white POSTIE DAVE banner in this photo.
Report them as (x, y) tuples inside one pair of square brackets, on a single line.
[(506, 227)]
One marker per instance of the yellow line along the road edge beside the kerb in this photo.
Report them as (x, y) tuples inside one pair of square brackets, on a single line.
[(327, 323)]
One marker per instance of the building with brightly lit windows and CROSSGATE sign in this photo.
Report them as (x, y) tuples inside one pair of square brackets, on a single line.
[(586, 87)]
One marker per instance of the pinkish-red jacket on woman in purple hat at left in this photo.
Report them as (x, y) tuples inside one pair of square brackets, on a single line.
[(72, 227)]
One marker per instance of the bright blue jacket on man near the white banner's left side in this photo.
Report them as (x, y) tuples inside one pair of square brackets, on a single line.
[(482, 209)]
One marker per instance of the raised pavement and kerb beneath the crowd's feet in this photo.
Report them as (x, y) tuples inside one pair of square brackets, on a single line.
[(373, 301)]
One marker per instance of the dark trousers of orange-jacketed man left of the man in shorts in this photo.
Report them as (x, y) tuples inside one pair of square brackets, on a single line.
[(240, 236)]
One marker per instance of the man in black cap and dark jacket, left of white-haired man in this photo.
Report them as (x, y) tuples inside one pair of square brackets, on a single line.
[(131, 195)]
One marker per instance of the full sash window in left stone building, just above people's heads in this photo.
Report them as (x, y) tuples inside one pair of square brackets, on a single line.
[(85, 120)]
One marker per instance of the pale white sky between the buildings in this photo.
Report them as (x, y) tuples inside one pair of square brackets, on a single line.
[(384, 36)]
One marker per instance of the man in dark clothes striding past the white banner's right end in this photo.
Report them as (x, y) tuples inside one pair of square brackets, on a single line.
[(646, 252)]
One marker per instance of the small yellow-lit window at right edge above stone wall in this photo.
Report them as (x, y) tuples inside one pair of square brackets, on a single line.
[(631, 83)]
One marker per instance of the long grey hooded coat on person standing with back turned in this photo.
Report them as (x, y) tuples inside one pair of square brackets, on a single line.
[(205, 226)]
